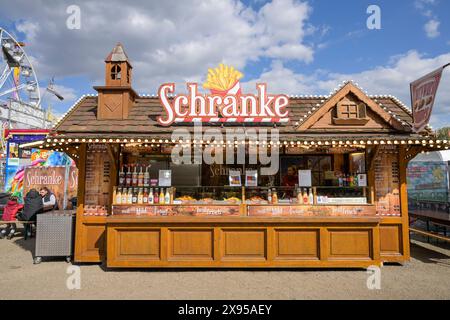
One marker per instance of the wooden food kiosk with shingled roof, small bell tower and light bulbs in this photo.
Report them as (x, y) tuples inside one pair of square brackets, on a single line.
[(208, 223)]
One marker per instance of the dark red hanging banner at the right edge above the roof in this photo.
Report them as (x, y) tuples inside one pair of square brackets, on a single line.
[(423, 93)]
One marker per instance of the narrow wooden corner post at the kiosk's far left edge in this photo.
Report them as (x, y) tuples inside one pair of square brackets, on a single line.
[(81, 164)]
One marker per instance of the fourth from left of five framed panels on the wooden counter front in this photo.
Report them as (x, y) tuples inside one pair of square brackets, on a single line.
[(296, 244)]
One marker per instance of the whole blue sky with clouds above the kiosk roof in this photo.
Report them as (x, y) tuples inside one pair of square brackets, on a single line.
[(298, 47)]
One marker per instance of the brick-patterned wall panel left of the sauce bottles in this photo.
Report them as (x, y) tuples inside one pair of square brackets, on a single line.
[(98, 169)]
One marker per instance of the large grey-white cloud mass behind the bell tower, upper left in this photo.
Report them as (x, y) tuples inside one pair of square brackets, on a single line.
[(166, 41)]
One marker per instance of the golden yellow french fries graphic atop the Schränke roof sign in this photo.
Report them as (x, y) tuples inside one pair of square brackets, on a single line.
[(222, 78)]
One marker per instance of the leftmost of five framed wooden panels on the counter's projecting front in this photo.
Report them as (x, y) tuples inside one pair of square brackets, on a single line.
[(139, 243)]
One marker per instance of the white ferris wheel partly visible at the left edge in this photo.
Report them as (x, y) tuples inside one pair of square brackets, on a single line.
[(20, 97)]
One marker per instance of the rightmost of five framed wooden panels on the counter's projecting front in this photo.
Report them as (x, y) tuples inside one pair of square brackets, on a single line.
[(350, 244)]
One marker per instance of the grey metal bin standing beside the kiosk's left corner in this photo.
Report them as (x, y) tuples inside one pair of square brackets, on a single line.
[(54, 234)]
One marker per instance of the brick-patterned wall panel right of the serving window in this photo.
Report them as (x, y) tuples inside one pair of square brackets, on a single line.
[(387, 183)]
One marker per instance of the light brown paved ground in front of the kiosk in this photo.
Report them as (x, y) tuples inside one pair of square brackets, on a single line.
[(427, 276)]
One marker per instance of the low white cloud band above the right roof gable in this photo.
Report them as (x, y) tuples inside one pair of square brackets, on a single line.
[(392, 79)]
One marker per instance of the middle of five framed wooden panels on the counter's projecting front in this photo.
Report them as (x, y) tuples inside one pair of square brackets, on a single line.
[(244, 244)]
